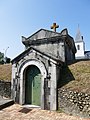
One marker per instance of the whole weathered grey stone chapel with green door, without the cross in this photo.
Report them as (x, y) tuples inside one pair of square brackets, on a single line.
[(36, 71)]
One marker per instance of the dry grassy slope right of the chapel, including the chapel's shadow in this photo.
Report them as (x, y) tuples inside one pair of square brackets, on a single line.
[(76, 77)]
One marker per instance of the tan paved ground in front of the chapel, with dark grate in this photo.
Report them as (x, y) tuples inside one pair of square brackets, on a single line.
[(17, 112)]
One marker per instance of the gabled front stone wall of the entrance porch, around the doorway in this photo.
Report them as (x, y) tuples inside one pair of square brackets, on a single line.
[(49, 71)]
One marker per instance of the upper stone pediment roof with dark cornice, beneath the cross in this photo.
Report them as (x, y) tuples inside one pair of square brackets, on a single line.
[(43, 36)]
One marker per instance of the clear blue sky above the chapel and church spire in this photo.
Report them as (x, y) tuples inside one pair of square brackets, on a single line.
[(25, 17)]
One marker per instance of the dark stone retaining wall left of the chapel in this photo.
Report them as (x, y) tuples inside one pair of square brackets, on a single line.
[(5, 89)]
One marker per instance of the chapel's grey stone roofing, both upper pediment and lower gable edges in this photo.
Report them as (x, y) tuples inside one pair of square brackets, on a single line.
[(45, 36)]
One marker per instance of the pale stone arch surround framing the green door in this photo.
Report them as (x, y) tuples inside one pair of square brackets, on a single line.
[(43, 72)]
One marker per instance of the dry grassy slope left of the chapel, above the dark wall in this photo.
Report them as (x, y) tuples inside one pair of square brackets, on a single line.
[(5, 72)]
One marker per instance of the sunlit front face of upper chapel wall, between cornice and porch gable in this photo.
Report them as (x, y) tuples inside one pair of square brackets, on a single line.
[(56, 49)]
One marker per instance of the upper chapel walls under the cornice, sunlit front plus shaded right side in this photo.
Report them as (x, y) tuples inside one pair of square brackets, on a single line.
[(56, 48)]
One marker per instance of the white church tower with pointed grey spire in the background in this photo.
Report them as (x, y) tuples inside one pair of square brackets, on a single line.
[(80, 45)]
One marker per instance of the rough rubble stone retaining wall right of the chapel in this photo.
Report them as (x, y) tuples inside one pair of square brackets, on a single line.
[(74, 103)]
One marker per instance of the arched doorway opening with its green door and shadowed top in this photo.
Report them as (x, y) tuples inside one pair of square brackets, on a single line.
[(33, 86)]
